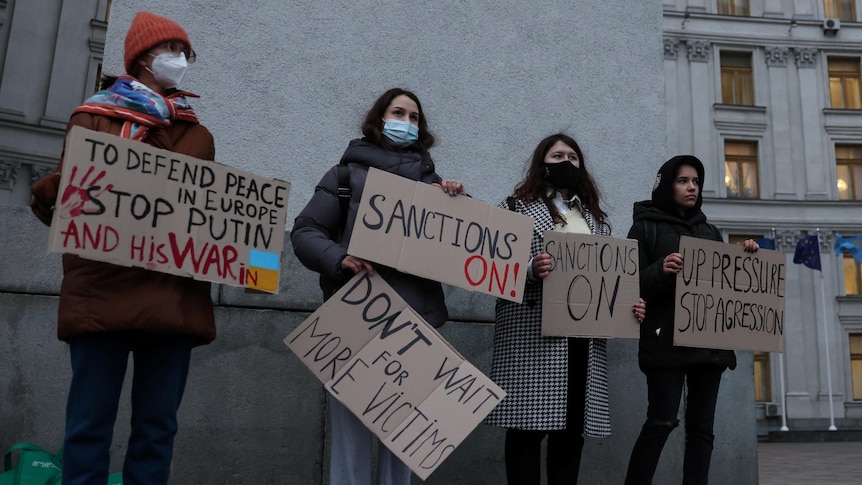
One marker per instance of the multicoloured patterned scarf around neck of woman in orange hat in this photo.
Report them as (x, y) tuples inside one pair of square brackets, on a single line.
[(141, 107)]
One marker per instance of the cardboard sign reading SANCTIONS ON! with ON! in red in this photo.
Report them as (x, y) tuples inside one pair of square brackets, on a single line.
[(418, 229)]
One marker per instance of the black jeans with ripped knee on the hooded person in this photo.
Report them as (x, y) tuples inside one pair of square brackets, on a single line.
[(664, 388)]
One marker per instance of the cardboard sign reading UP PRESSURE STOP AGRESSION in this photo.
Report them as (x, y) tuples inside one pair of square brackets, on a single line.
[(729, 299)]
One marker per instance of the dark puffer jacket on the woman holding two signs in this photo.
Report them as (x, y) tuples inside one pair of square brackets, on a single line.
[(320, 244)]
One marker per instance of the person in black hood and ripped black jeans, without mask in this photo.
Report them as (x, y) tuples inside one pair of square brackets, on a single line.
[(673, 211)]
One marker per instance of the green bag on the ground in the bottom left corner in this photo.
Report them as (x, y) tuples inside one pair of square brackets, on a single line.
[(35, 466)]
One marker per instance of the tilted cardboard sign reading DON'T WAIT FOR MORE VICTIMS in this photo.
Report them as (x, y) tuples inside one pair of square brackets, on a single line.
[(376, 355)]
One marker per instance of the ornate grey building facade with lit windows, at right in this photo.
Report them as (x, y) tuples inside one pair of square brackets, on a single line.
[(766, 92)]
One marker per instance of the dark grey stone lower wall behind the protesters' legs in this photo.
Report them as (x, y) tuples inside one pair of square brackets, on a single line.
[(252, 413)]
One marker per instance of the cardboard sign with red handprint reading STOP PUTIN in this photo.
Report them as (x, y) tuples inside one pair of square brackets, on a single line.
[(131, 204)]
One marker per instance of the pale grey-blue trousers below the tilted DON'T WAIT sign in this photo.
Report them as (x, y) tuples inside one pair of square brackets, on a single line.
[(350, 459)]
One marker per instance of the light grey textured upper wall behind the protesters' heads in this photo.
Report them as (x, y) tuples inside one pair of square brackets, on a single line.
[(284, 85)]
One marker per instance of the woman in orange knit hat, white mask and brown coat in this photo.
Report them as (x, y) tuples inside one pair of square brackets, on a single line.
[(106, 311)]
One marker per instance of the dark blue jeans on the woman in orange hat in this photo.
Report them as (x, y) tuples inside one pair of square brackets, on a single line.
[(99, 361)]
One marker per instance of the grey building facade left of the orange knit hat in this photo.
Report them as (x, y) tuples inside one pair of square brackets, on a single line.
[(37, 97)]
